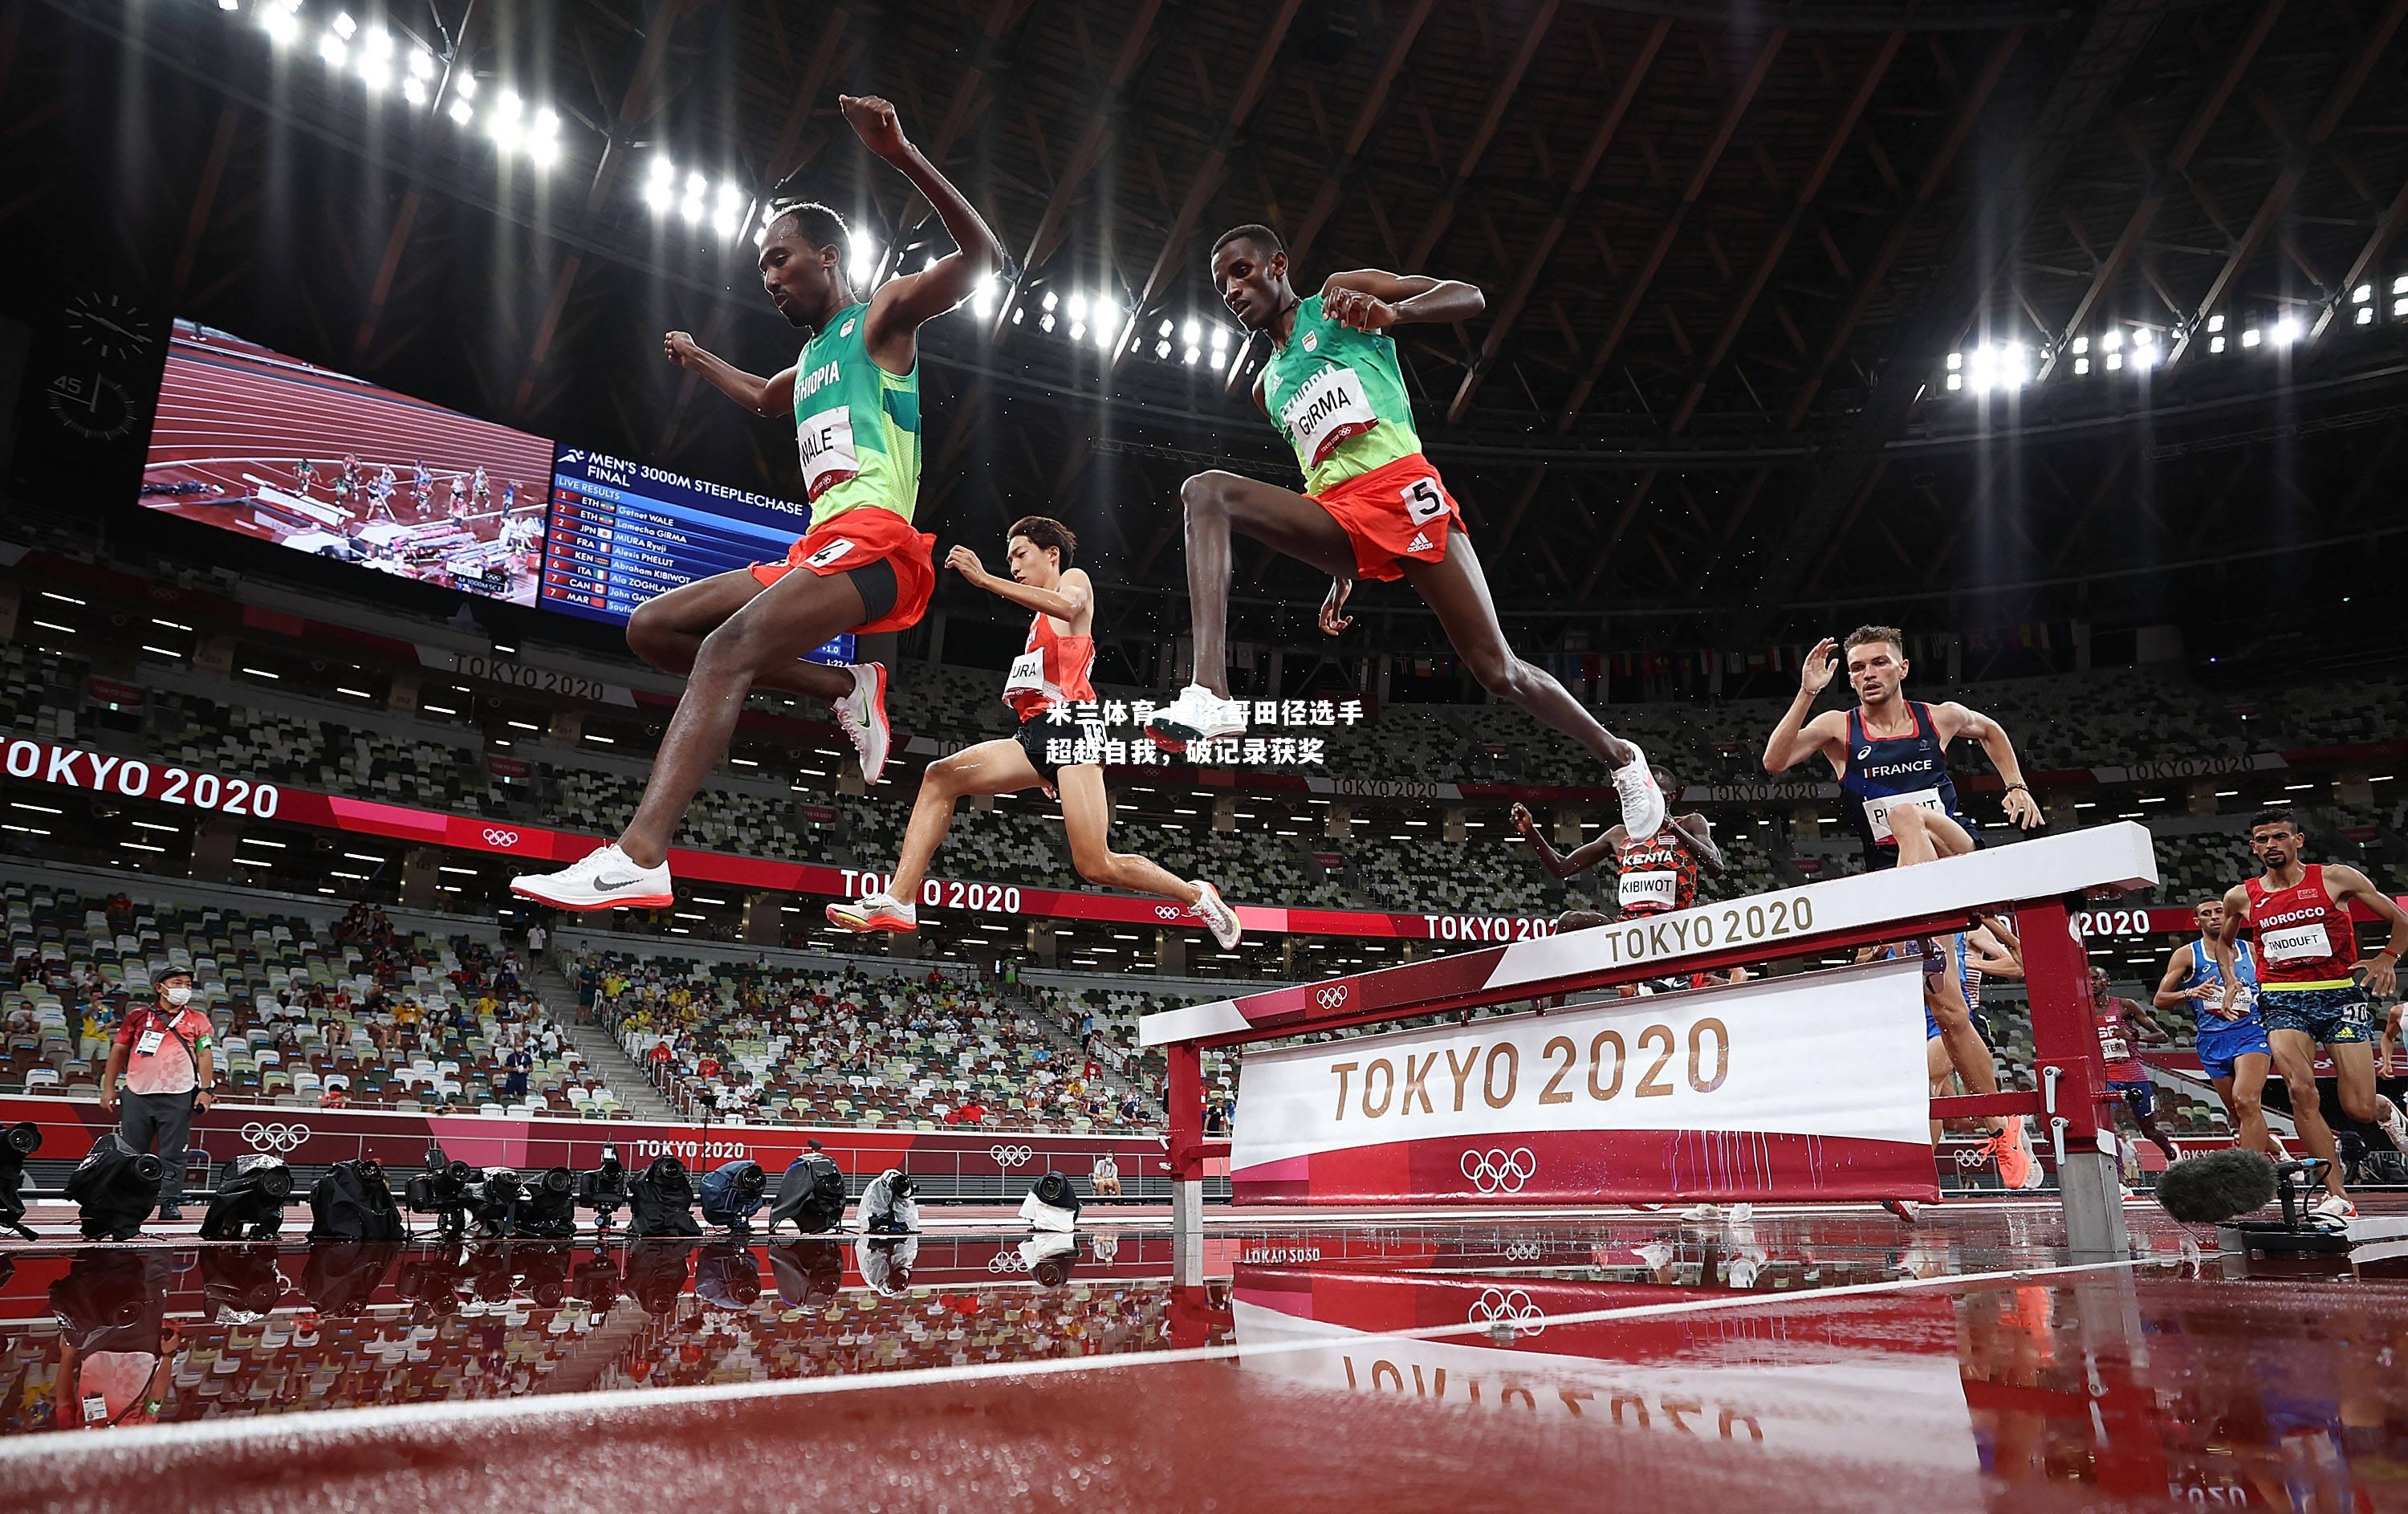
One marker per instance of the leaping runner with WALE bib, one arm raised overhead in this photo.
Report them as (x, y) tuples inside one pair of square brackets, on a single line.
[(861, 567)]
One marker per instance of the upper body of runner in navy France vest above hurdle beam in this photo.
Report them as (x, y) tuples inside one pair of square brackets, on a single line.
[(1891, 755)]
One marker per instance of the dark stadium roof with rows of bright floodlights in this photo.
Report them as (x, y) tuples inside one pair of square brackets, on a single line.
[(1786, 300)]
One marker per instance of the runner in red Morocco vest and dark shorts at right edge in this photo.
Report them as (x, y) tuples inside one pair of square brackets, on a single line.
[(2313, 988)]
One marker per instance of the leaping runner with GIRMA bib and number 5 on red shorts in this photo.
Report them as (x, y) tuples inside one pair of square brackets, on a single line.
[(1374, 507)]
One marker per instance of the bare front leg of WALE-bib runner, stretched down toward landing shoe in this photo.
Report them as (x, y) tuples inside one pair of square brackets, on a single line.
[(774, 629)]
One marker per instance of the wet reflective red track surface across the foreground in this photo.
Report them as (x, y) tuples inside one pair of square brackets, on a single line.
[(1605, 1361)]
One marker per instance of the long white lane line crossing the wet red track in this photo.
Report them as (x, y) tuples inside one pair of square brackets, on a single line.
[(413, 1417)]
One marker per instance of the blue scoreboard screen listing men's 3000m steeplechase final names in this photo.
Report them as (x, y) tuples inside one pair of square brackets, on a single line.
[(622, 533)]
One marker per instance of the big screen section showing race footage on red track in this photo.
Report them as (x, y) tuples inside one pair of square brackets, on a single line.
[(266, 446)]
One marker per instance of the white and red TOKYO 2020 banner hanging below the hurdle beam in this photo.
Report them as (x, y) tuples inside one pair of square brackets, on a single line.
[(1708, 1094)]
